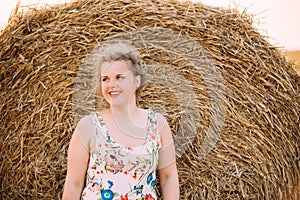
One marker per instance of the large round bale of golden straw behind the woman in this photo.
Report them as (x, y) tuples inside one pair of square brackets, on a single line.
[(256, 154)]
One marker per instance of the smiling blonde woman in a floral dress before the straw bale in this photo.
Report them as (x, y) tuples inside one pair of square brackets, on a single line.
[(115, 153)]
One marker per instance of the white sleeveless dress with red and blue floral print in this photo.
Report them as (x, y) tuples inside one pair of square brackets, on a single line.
[(122, 173)]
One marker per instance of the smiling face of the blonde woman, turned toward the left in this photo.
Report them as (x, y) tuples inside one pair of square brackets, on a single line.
[(118, 83)]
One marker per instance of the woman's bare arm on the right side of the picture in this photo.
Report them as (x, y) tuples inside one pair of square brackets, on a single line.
[(167, 169)]
